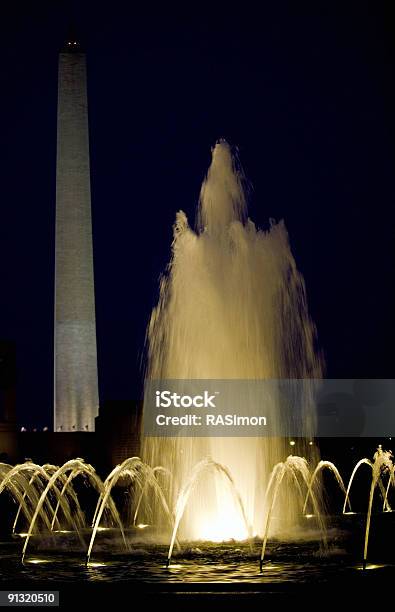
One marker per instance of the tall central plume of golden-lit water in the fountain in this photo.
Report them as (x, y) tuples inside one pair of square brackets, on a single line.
[(232, 305)]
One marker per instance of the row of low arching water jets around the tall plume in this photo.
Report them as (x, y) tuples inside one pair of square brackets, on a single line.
[(49, 506)]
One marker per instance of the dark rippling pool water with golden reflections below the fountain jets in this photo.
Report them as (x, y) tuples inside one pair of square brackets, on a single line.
[(199, 562)]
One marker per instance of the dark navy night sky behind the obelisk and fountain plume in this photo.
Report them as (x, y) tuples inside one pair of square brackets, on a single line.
[(306, 91)]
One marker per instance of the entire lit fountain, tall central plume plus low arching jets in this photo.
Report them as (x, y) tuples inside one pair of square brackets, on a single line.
[(232, 306)]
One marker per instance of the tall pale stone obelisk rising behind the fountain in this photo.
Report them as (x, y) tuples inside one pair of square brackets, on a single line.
[(76, 383)]
